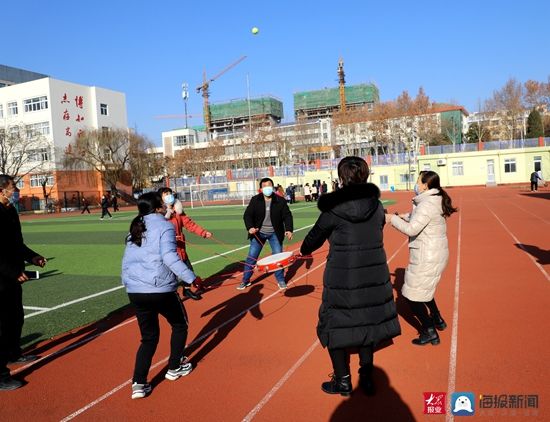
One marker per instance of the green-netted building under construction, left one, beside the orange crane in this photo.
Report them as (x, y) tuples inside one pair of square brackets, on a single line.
[(233, 116)]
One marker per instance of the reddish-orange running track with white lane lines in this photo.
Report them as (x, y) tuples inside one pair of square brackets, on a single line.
[(263, 362)]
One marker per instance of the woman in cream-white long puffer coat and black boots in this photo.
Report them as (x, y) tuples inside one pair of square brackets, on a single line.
[(426, 227)]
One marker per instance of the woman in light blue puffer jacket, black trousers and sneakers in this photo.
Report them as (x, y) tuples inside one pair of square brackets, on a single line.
[(150, 271)]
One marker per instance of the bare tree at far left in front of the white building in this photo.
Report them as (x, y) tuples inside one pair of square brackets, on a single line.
[(23, 150)]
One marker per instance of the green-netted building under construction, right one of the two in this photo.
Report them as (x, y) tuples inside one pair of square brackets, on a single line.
[(312, 105)]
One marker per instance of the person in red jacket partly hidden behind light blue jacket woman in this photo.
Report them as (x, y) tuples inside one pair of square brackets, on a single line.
[(176, 215)]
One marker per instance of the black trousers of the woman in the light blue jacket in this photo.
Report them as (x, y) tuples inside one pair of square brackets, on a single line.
[(148, 307)]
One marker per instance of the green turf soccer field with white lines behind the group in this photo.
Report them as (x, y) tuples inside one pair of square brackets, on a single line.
[(81, 282)]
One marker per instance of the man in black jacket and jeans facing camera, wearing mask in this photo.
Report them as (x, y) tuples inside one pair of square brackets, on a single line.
[(267, 219)]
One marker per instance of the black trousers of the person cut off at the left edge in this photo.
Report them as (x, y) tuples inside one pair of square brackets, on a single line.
[(11, 323)]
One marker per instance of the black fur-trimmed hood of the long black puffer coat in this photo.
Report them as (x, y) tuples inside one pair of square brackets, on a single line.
[(354, 203)]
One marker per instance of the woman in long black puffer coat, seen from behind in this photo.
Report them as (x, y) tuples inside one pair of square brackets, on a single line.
[(357, 309)]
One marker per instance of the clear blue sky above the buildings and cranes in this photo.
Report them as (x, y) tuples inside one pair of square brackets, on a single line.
[(458, 51)]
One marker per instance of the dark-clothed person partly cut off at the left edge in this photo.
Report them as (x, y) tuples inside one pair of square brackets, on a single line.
[(13, 254)]
